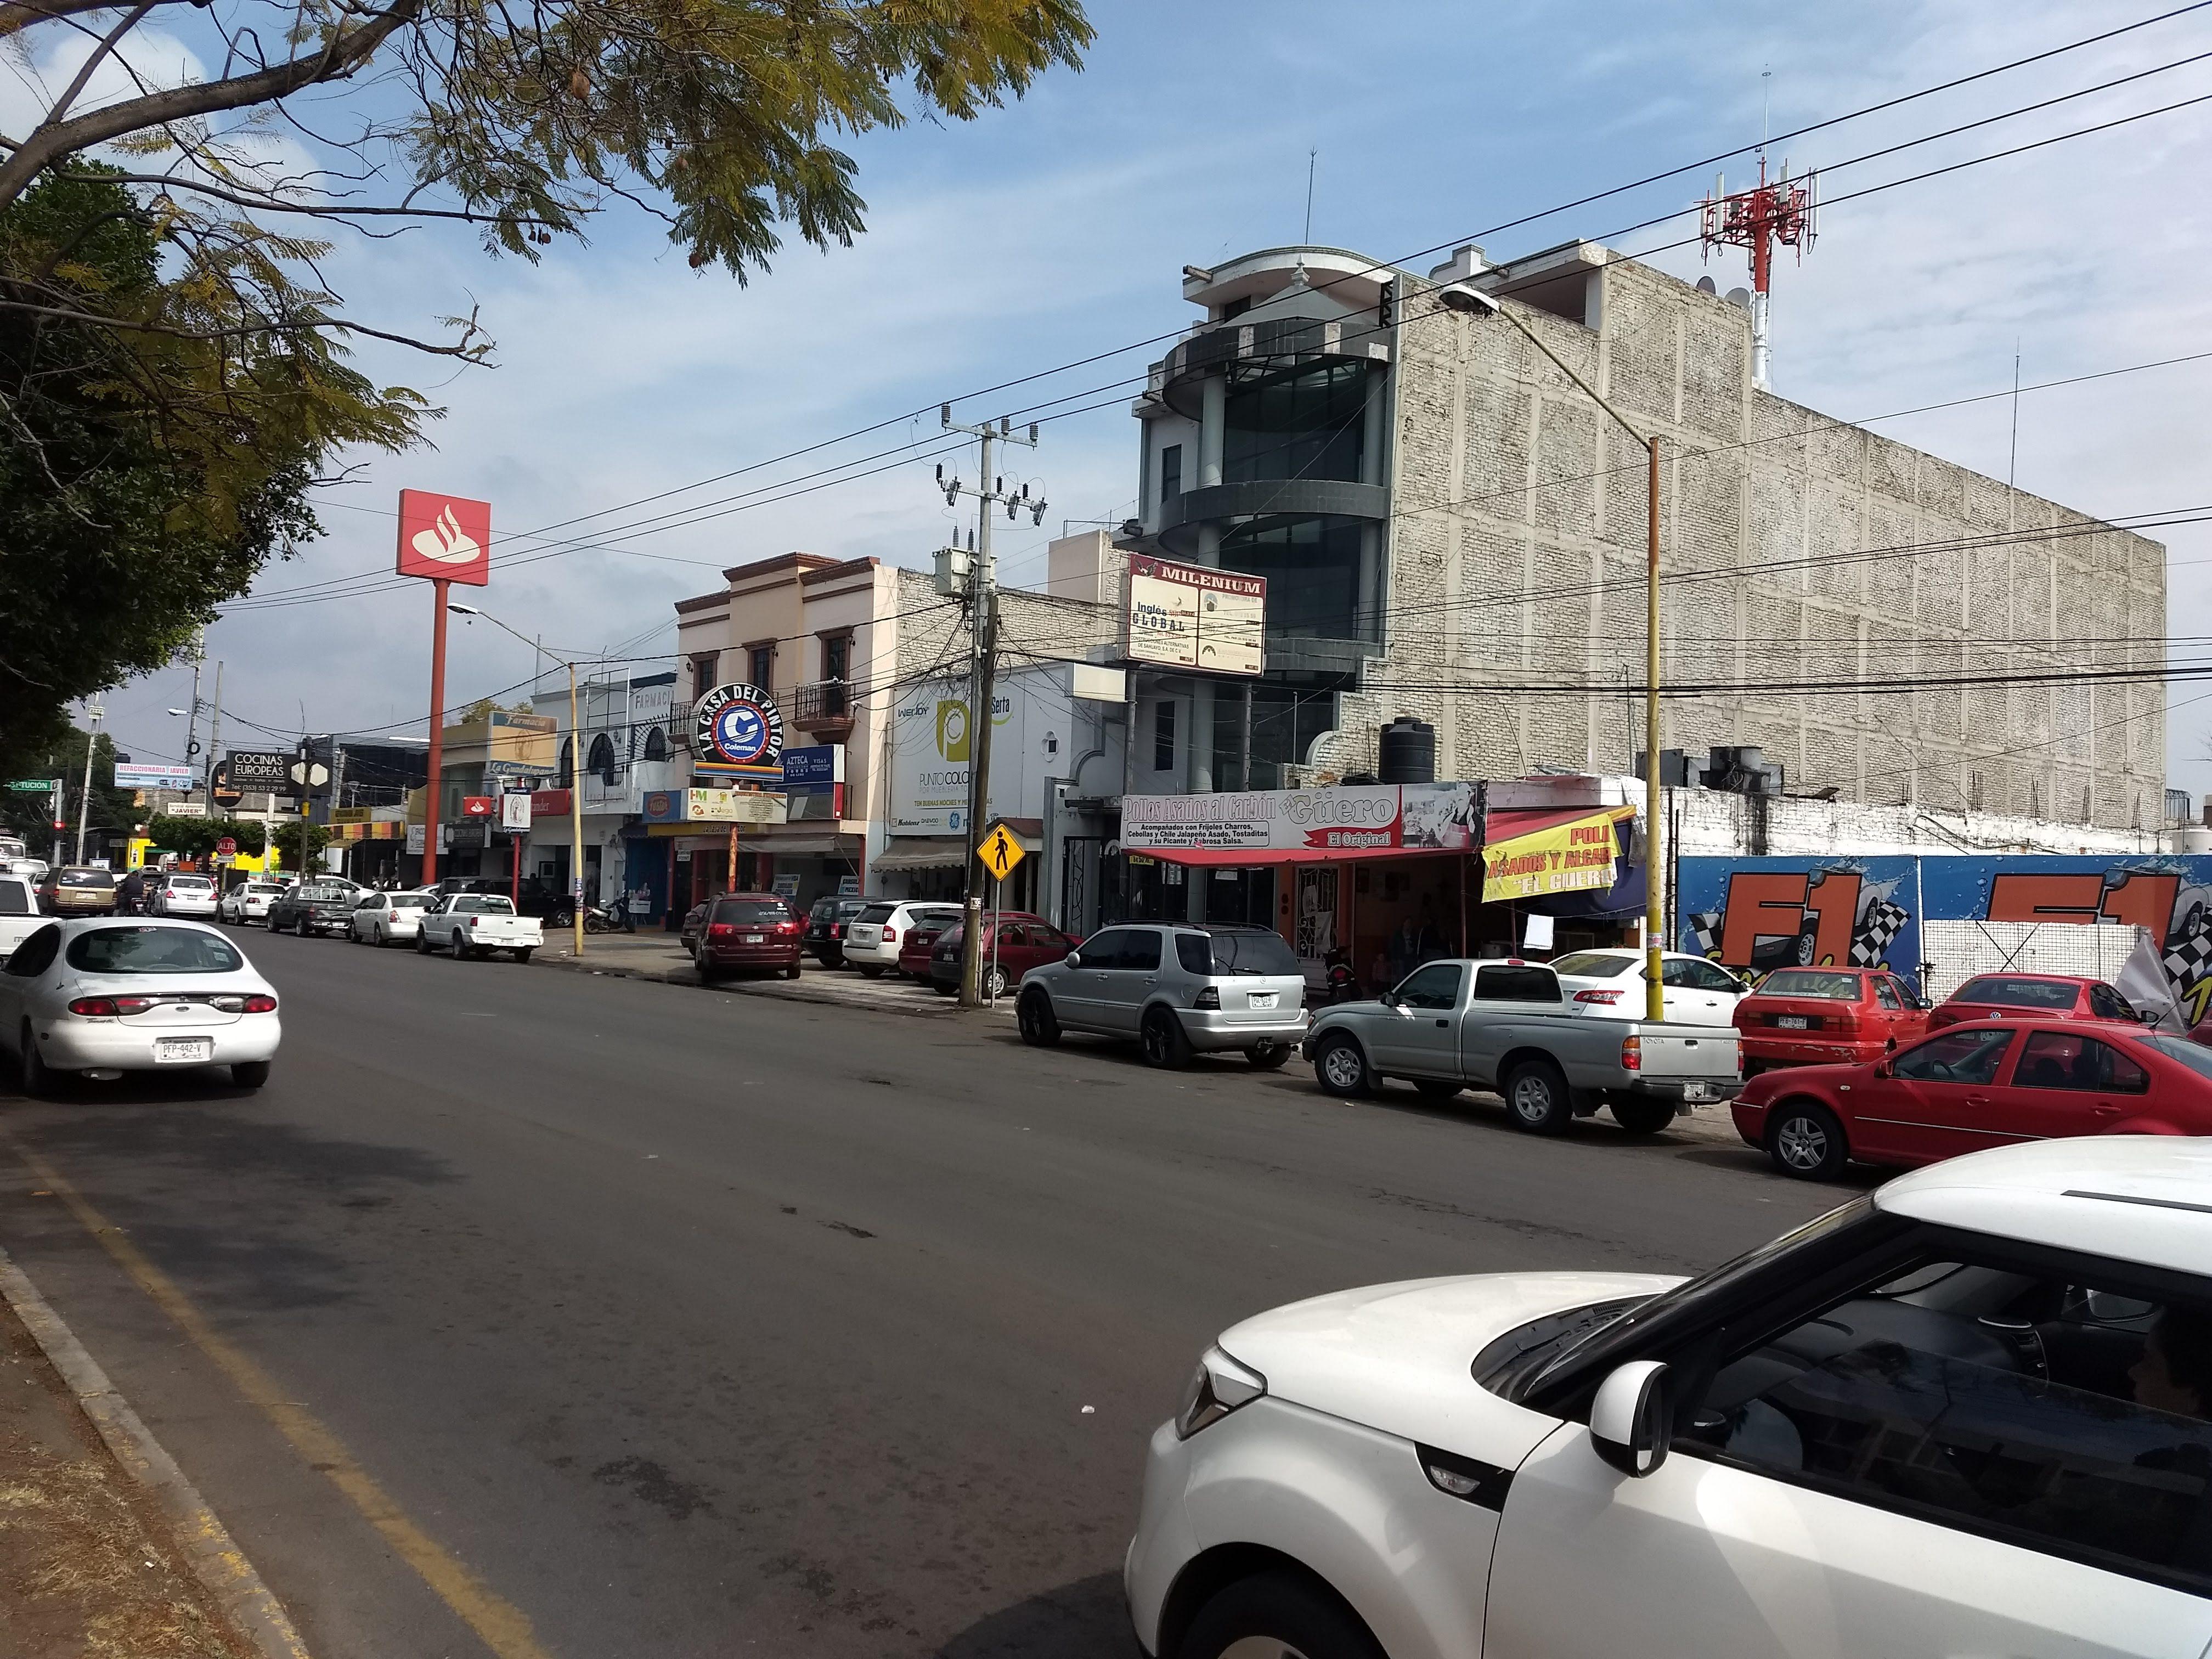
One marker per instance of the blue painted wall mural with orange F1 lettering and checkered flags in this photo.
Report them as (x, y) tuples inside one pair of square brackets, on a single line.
[(1868, 912)]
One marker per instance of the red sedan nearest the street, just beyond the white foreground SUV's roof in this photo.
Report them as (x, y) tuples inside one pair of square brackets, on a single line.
[(1974, 1087)]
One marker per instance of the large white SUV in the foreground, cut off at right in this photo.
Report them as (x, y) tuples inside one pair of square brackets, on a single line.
[(1970, 1412)]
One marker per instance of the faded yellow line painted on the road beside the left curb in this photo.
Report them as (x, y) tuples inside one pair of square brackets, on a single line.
[(503, 1627)]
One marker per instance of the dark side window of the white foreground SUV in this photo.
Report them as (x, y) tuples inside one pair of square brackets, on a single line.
[(1996, 1401)]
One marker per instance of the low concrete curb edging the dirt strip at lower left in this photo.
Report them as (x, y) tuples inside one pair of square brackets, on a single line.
[(216, 1558)]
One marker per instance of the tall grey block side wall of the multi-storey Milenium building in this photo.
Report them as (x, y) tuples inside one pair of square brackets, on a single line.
[(1519, 563)]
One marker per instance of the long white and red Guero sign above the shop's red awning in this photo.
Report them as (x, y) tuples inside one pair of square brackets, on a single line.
[(1355, 820)]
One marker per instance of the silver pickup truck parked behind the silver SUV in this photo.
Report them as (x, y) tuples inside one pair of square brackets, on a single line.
[(1507, 1027)]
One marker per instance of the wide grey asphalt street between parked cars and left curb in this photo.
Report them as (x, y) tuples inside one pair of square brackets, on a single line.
[(698, 1324)]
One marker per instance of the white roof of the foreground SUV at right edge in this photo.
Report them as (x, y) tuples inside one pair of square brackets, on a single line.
[(2133, 1198)]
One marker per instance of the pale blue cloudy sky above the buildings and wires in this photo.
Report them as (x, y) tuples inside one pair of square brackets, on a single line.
[(1056, 229)]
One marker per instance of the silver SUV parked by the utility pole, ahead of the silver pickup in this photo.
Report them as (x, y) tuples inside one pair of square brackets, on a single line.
[(1178, 988)]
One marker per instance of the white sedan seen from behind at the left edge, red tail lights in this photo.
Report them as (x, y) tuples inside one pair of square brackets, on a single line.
[(103, 997)]
